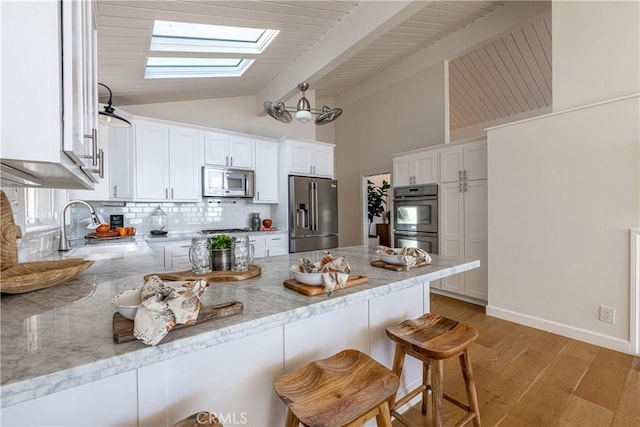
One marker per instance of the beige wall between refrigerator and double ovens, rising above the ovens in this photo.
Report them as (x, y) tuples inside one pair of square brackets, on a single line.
[(405, 116)]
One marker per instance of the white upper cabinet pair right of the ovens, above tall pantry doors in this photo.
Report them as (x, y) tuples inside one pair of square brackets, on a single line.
[(464, 162)]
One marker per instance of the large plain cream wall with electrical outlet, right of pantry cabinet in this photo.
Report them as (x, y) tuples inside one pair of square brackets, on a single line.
[(563, 195)]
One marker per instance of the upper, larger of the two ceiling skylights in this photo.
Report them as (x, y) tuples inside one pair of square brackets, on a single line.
[(185, 37)]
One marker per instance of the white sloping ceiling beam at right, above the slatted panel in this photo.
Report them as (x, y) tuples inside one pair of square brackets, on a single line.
[(460, 42)]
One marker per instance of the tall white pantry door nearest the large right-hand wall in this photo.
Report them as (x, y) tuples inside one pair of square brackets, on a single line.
[(475, 237)]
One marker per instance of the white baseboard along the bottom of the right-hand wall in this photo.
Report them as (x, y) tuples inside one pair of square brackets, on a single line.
[(561, 329)]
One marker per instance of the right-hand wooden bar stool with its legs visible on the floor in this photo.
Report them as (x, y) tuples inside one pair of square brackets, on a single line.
[(433, 339)]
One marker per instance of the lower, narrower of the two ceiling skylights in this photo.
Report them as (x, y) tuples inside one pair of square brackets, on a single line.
[(167, 68)]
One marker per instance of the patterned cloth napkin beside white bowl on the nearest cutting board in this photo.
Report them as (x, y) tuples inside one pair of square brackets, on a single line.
[(163, 307)]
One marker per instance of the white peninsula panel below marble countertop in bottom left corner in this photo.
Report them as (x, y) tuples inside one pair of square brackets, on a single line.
[(111, 401)]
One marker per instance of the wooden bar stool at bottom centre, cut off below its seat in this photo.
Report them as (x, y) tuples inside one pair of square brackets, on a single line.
[(345, 389)]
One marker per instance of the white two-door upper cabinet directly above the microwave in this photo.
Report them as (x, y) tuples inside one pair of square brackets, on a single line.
[(228, 150)]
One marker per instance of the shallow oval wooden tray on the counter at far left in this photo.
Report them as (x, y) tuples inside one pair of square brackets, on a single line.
[(32, 276)]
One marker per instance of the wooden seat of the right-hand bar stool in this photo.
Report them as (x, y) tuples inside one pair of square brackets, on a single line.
[(433, 335)]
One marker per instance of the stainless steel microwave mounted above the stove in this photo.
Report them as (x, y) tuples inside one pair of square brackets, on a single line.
[(223, 182)]
